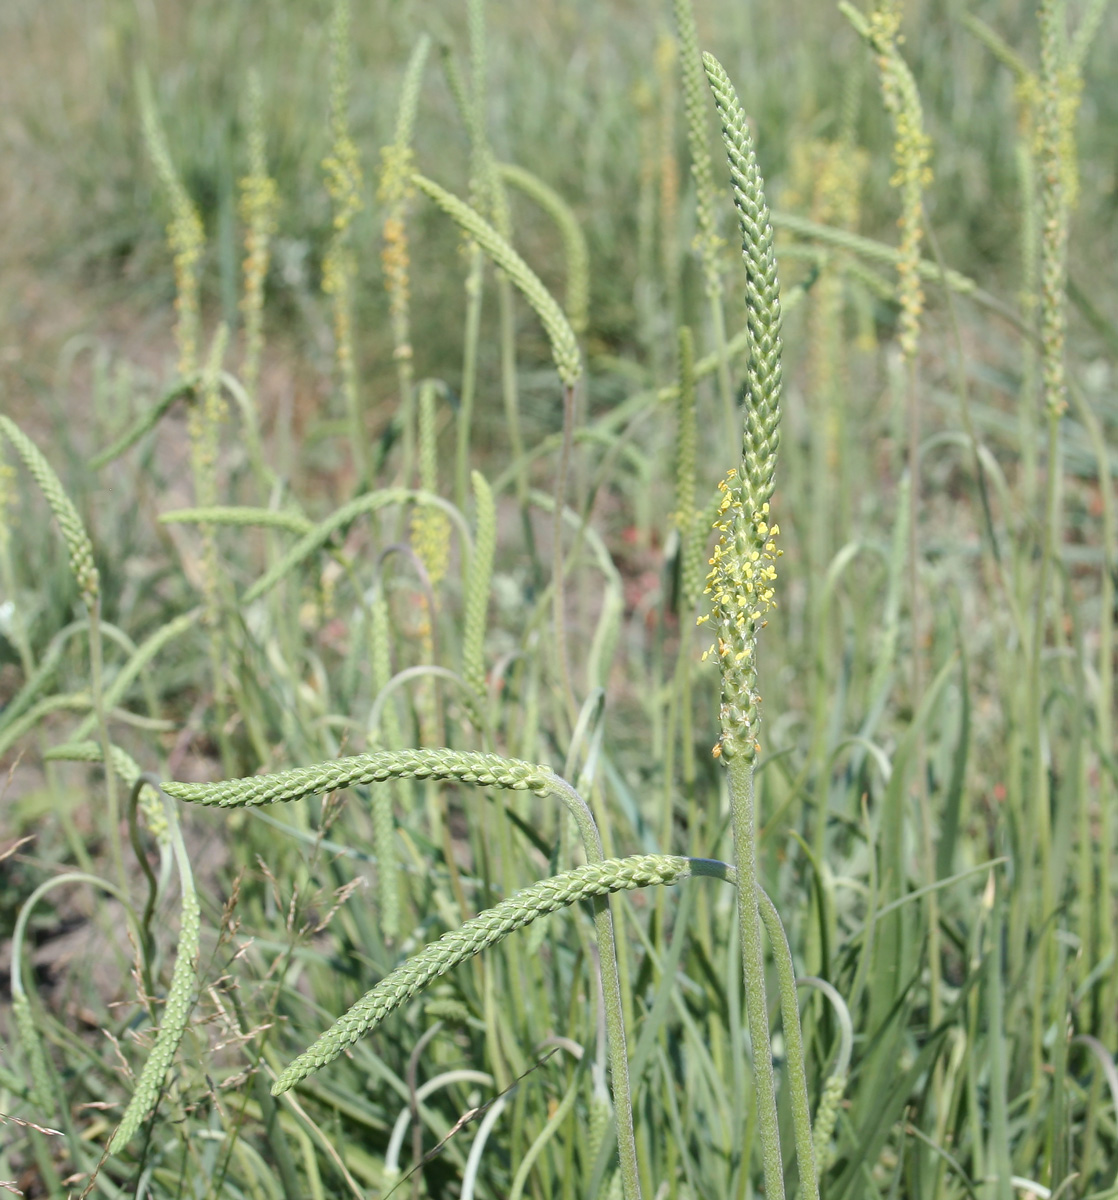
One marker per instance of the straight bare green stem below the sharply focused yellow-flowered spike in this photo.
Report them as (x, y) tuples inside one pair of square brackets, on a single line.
[(743, 814)]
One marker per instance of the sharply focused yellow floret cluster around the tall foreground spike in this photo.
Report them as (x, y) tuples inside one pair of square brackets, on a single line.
[(742, 574)]
